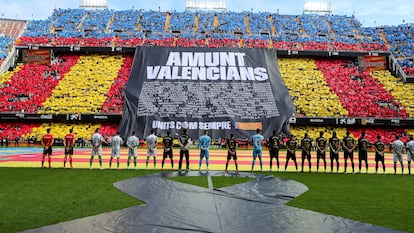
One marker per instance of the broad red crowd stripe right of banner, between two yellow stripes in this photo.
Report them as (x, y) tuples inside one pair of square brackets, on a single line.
[(359, 93)]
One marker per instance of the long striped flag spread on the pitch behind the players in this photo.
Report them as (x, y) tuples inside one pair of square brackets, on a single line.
[(32, 156)]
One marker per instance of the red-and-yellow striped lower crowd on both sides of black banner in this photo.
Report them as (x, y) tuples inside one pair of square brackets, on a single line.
[(93, 84)]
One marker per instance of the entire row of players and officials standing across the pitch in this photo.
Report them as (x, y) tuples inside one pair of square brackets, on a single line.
[(321, 145)]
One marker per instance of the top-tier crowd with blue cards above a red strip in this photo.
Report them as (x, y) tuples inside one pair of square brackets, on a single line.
[(81, 27)]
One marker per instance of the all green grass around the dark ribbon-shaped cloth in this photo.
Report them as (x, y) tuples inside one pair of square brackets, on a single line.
[(32, 197)]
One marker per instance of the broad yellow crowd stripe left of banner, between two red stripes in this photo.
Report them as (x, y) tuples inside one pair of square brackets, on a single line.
[(84, 88)]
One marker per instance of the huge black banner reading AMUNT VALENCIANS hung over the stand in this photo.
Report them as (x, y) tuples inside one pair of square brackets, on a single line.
[(221, 90)]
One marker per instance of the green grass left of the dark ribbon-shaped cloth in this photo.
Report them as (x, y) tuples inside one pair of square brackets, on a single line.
[(34, 197)]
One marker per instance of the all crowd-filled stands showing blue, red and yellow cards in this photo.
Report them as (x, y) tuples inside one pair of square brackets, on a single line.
[(93, 84)]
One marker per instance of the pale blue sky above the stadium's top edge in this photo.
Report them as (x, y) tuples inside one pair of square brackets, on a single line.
[(369, 12)]
